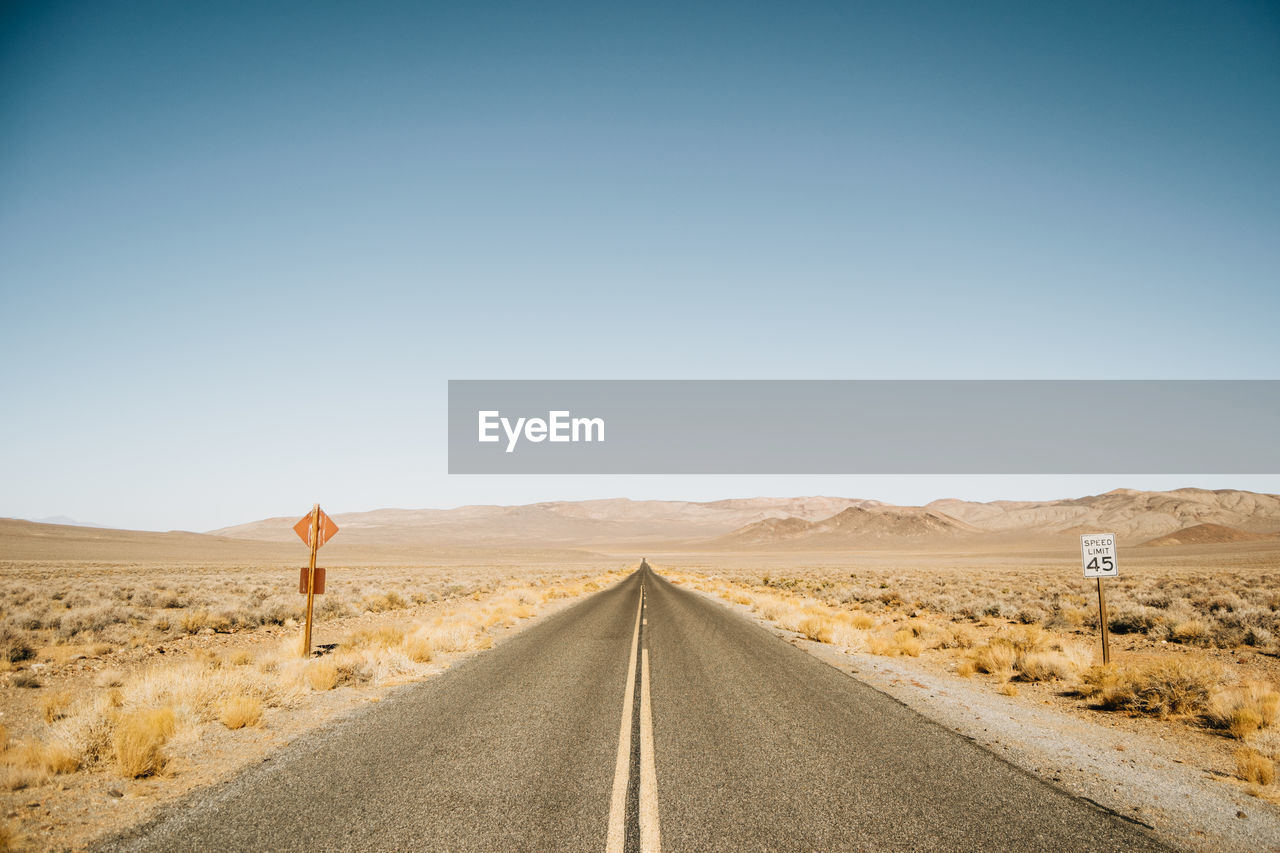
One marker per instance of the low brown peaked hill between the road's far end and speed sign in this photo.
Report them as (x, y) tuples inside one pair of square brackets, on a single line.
[(852, 528)]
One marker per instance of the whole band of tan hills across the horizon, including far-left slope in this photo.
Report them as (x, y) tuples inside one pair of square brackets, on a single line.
[(577, 528)]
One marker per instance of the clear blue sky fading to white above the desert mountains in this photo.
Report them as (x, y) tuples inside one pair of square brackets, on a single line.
[(244, 247)]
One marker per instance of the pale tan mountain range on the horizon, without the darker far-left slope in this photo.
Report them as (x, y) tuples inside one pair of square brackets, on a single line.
[(817, 523)]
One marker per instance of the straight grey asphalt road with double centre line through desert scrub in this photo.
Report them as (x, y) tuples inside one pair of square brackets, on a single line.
[(675, 726)]
